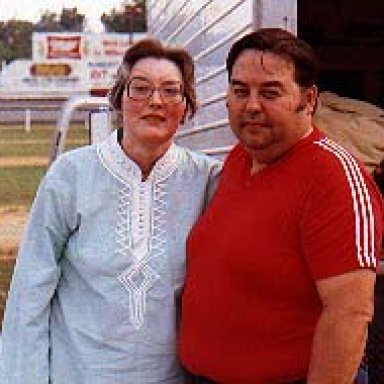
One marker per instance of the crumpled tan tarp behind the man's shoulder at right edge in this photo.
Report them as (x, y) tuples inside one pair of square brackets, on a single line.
[(357, 125)]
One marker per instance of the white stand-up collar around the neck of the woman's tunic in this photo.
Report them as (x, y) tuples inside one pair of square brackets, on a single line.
[(121, 166)]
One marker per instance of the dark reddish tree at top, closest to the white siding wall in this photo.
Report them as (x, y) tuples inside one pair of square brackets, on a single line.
[(128, 19)]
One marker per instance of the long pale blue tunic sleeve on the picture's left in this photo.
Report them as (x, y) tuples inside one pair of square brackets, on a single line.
[(35, 278)]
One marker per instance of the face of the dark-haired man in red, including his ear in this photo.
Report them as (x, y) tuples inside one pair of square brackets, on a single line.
[(268, 111)]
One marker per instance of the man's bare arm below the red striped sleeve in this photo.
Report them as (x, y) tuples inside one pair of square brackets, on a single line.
[(341, 332)]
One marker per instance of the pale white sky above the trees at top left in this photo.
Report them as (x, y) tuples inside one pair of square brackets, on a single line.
[(32, 10)]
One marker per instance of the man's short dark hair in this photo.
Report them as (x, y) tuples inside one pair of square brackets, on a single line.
[(281, 43)]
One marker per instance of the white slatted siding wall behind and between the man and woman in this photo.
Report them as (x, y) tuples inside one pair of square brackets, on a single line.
[(207, 28)]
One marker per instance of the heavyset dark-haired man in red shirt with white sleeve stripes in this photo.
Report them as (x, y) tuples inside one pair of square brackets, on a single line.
[(280, 269)]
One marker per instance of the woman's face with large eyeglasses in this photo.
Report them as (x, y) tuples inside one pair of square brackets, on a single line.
[(152, 105)]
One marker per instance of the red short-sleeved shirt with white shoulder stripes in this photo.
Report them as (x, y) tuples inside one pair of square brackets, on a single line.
[(250, 304)]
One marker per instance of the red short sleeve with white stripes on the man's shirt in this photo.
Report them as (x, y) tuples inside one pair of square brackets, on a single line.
[(341, 223)]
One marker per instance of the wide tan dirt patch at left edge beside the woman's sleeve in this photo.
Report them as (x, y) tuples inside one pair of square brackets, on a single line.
[(12, 223)]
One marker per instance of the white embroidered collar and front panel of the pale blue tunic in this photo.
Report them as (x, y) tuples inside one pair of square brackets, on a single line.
[(141, 223)]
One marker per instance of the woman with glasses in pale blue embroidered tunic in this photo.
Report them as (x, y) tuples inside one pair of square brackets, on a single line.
[(94, 292)]
